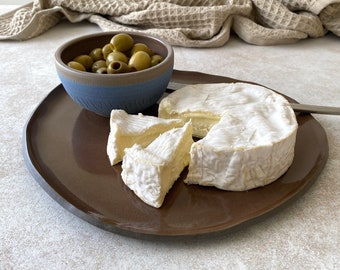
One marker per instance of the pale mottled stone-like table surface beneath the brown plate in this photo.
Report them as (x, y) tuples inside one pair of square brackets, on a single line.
[(36, 232)]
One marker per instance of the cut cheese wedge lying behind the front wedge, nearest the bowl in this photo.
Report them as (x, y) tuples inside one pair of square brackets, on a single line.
[(127, 129)]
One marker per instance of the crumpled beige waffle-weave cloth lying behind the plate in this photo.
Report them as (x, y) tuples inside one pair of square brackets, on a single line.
[(189, 23)]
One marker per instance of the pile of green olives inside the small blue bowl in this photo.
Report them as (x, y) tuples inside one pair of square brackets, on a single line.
[(121, 55)]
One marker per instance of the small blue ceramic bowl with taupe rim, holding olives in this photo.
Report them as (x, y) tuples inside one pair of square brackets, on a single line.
[(101, 93)]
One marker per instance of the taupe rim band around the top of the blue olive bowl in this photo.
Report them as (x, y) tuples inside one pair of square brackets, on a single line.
[(116, 79)]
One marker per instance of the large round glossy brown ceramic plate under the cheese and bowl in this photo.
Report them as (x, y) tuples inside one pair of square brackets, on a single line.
[(65, 150)]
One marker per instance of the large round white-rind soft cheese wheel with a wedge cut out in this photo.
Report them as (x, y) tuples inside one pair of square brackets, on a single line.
[(248, 133)]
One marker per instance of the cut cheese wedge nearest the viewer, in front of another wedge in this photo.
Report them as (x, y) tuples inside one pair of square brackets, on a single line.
[(150, 172)]
